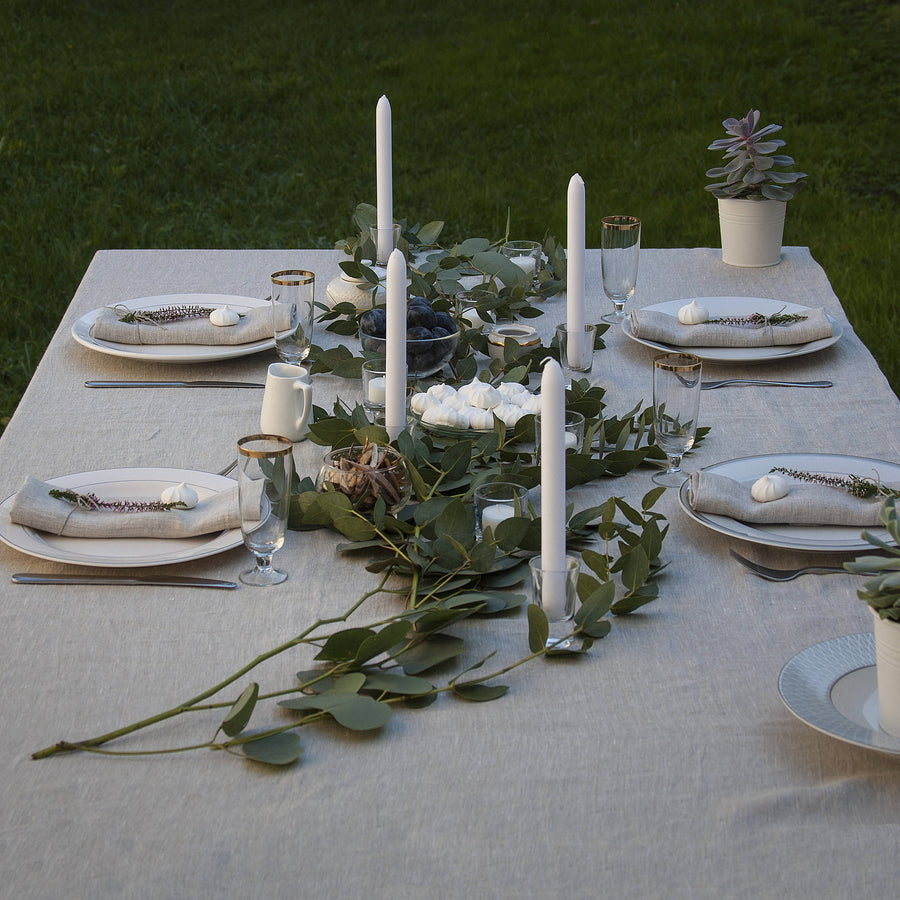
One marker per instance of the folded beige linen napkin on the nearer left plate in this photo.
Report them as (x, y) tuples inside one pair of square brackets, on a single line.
[(33, 507)]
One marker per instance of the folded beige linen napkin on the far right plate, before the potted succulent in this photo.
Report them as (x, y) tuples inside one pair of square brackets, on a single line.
[(652, 325)]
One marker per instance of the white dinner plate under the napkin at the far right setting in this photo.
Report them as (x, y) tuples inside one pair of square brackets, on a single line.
[(738, 306)]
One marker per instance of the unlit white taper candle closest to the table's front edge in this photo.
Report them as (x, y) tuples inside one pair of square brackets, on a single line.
[(553, 489)]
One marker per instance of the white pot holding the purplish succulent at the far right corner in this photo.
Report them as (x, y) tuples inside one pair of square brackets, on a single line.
[(751, 231)]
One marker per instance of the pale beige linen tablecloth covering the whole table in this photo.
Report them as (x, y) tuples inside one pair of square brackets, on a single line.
[(663, 764)]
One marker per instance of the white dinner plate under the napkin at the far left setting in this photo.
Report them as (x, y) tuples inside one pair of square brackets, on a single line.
[(174, 353)]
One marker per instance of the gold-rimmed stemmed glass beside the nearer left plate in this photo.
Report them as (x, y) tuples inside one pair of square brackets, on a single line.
[(265, 467)]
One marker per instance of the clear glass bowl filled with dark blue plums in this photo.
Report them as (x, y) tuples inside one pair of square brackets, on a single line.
[(431, 337)]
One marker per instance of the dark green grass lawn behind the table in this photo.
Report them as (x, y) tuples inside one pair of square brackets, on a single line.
[(245, 123)]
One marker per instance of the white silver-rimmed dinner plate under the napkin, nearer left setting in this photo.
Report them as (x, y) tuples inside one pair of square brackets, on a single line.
[(123, 552)]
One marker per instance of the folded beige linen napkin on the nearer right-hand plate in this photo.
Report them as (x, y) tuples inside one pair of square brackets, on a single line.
[(806, 504)]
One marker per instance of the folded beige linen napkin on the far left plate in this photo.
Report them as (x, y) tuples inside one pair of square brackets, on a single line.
[(255, 326)]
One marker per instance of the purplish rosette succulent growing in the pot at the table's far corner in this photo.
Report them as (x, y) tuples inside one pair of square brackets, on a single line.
[(753, 172)]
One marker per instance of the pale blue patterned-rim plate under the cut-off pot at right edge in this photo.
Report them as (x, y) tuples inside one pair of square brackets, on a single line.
[(831, 687)]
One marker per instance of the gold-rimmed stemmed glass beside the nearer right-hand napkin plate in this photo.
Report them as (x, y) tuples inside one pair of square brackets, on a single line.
[(676, 403)]
